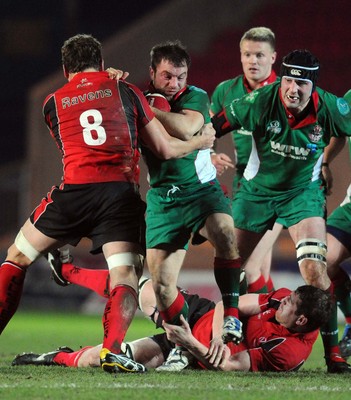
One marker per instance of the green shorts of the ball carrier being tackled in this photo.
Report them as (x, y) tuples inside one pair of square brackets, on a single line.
[(174, 213)]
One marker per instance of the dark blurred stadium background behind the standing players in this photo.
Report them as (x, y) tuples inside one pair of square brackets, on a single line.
[(32, 33)]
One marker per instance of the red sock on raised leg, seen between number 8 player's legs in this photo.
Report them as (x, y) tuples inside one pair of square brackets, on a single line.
[(94, 279)]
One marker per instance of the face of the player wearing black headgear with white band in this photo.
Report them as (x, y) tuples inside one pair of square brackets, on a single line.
[(295, 93)]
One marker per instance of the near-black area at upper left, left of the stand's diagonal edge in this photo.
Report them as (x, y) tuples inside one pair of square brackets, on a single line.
[(32, 33)]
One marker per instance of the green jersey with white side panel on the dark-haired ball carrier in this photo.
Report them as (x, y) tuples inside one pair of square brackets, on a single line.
[(195, 167)]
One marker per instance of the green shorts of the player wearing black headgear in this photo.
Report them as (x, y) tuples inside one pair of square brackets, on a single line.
[(256, 211)]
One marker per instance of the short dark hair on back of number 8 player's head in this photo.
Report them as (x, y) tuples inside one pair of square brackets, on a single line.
[(81, 52)]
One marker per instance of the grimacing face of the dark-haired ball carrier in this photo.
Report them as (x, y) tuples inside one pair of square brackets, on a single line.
[(168, 79)]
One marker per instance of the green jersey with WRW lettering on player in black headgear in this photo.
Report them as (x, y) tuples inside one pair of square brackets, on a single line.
[(286, 158)]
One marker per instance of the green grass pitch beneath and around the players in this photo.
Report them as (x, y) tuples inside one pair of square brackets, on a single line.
[(41, 332)]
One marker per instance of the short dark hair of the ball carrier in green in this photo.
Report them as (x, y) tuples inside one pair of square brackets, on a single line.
[(172, 51)]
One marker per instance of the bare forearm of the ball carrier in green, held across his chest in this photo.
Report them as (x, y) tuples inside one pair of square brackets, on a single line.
[(183, 125)]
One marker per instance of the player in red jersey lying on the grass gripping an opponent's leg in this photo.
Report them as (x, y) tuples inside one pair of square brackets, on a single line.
[(280, 329)]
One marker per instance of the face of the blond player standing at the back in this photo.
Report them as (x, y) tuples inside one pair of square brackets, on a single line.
[(257, 59)]
